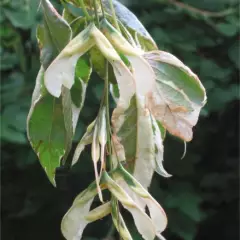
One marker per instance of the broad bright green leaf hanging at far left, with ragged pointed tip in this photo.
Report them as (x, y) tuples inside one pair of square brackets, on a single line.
[(47, 134)]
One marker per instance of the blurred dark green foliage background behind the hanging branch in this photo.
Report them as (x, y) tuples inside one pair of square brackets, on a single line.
[(201, 199)]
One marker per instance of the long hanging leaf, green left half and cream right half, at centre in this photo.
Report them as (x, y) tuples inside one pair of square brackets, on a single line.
[(134, 130)]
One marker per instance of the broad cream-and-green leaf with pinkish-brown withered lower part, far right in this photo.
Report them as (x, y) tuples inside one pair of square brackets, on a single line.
[(178, 96)]
